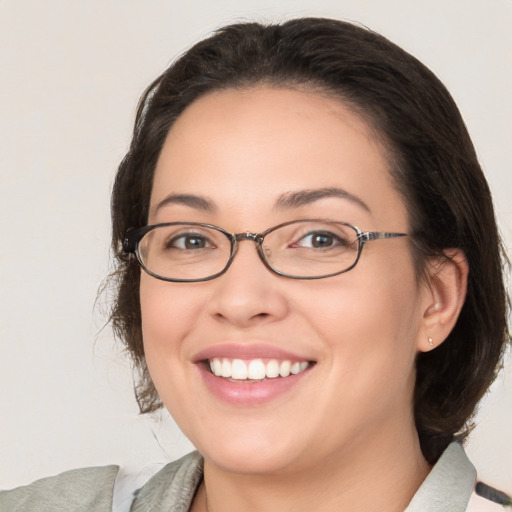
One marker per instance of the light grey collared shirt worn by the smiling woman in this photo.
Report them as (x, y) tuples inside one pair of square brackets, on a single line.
[(449, 487)]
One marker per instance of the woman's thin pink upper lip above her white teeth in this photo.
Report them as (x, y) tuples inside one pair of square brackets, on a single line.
[(248, 351)]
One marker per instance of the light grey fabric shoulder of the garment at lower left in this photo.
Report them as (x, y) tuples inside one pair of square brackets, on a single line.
[(79, 489)]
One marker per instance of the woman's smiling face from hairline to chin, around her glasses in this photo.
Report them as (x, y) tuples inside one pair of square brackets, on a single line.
[(234, 159)]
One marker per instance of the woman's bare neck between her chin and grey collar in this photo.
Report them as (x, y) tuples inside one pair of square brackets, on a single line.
[(369, 477)]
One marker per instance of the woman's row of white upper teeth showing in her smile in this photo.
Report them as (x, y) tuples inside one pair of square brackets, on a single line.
[(255, 369)]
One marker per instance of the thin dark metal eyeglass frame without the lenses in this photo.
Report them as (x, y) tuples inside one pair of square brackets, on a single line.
[(133, 236)]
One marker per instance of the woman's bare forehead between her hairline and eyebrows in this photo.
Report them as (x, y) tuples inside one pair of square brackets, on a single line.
[(245, 148)]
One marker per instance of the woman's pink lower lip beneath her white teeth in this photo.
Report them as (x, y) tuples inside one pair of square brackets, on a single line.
[(247, 393)]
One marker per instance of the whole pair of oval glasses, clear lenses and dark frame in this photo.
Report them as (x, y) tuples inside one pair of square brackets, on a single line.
[(300, 249)]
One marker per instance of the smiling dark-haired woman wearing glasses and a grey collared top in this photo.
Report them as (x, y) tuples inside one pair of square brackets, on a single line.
[(333, 365)]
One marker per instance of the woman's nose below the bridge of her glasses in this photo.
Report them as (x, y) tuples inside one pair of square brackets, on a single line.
[(248, 293)]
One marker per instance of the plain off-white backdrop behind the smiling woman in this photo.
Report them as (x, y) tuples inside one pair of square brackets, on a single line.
[(71, 73)]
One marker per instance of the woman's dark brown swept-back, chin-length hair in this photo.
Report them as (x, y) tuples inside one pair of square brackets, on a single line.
[(433, 162)]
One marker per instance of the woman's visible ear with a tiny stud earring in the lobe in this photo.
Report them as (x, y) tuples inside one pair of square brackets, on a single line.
[(445, 288)]
